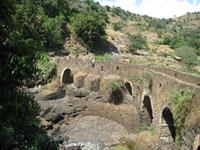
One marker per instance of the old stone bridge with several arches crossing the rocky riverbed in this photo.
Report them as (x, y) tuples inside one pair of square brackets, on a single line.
[(150, 87)]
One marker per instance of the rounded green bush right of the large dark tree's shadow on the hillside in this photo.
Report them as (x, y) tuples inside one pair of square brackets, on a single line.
[(137, 42)]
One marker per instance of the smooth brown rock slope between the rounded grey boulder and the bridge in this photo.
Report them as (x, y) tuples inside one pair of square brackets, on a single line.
[(123, 114)]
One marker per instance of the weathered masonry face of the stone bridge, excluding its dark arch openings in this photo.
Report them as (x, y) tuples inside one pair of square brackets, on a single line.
[(157, 86)]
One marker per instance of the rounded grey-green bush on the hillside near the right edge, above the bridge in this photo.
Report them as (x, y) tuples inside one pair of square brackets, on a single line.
[(188, 55)]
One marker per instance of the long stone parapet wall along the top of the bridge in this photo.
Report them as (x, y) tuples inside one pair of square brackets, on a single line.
[(105, 68)]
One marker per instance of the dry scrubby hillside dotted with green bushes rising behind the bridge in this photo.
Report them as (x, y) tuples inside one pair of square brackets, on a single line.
[(140, 39)]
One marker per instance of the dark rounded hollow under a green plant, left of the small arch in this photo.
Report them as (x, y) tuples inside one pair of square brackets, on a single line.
[(116, 96)]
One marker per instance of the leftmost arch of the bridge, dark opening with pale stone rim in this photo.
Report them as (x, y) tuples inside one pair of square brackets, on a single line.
[(67, 76)]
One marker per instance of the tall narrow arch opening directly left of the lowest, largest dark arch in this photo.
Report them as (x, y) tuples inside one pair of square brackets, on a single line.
[(147, 111)]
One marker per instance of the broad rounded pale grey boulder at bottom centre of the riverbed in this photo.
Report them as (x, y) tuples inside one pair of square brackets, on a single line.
[(94, 129)]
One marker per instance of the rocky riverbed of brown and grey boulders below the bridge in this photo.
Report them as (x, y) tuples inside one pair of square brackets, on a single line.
[(78, 119)]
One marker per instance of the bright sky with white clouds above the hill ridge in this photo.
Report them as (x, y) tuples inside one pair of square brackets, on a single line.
[(156, 8)]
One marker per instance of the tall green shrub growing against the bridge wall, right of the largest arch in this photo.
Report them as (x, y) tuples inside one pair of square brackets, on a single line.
[(179, 100)]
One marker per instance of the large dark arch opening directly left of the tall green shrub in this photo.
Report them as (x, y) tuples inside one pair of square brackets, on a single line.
[(167, 119)]
